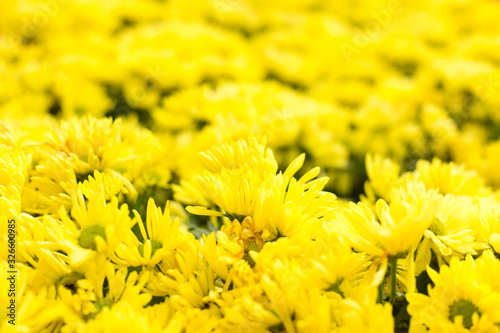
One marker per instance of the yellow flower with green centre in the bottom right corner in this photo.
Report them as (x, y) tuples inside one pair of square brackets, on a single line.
[(460, 301)]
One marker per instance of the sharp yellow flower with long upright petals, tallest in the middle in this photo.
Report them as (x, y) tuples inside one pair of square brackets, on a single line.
[(243, 182)]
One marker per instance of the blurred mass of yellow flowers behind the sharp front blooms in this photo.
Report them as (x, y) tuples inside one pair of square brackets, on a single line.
[(336, 80)]
